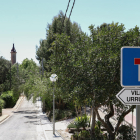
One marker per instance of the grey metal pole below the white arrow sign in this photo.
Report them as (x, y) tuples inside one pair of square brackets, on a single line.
[(137, 122)]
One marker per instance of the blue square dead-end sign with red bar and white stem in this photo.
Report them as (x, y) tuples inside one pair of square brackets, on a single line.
[(130, 66)]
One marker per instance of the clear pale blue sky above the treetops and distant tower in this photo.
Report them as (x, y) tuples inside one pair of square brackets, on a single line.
[(24, 22)]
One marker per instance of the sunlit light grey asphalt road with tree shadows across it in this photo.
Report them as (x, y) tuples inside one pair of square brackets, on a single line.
[(24, 124)]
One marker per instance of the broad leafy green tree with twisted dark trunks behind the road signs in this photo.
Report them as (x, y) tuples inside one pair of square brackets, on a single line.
[(90, 68)]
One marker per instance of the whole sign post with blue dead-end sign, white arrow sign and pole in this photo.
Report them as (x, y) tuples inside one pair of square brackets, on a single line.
[(130, 81)]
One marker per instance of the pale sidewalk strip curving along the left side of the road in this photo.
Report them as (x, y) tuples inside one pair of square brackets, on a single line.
[(6, 113)]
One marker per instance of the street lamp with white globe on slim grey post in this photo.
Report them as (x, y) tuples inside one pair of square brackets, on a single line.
[(53, 78)]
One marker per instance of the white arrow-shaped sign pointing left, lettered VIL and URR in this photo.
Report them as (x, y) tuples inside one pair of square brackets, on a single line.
[(129, 96)]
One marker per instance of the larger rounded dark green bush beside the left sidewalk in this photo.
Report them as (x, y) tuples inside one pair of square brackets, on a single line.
[(9, 98)]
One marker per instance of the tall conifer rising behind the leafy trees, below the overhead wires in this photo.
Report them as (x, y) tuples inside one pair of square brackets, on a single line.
[(45, 49)]
